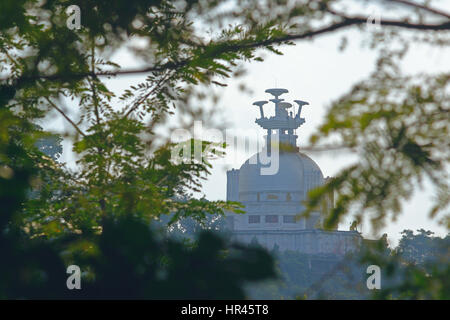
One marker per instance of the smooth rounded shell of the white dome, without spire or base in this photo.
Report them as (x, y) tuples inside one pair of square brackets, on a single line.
[(296, 173)]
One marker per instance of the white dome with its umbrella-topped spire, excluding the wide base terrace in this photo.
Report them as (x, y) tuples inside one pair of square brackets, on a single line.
[(273, 194)]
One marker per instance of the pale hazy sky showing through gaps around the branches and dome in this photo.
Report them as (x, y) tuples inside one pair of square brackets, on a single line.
[(318, 73)]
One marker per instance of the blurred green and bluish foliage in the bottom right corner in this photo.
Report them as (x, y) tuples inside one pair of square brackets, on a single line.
[(418, 268)]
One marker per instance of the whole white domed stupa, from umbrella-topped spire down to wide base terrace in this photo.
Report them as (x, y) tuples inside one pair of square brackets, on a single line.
[(272, 186)]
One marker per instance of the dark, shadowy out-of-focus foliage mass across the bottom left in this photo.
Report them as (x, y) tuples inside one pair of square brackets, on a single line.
[(127, 260)]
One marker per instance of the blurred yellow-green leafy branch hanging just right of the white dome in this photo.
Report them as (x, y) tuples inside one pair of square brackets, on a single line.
[(400, 128)]
